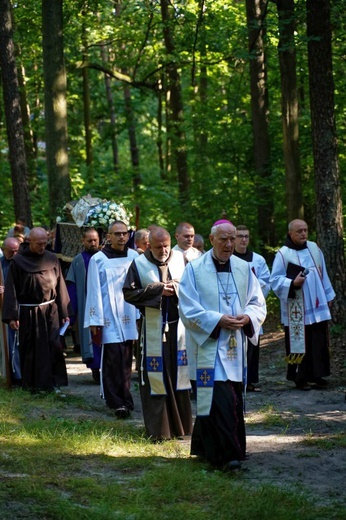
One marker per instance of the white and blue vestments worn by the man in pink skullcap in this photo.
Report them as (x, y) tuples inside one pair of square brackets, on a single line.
[(202, 303)]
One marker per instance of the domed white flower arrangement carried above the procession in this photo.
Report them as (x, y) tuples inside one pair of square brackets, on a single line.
[(103, 214)]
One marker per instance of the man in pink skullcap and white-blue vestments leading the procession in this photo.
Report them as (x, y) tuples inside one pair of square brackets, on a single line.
[(220, 303)]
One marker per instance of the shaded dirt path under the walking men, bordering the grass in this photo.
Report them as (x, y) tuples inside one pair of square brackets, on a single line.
[(285, 446)]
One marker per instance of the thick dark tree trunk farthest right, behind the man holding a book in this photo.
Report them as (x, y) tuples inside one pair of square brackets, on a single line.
[(329, 222)]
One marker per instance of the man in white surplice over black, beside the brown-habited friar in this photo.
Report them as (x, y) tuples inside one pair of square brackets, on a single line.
[(112, 319)]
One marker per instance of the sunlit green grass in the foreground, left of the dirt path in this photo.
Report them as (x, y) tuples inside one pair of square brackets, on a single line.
[(55, 467)]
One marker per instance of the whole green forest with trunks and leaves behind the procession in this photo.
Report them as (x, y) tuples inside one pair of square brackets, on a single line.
[(180, 110)]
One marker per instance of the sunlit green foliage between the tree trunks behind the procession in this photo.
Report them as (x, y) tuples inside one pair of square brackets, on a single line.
[(210, 49)]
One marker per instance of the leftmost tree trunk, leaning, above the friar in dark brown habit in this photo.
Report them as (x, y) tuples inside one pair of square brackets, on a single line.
[(14, 123)]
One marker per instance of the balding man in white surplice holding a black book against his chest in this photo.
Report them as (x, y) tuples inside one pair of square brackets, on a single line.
[(300, 280)]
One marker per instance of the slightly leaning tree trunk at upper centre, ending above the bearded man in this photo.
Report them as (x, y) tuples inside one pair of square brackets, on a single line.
[(176, 111)]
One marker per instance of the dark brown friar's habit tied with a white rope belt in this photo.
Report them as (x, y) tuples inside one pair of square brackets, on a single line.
[(36, 295)]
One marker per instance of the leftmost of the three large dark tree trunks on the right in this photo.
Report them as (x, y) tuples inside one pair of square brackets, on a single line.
[(255, 13)]
